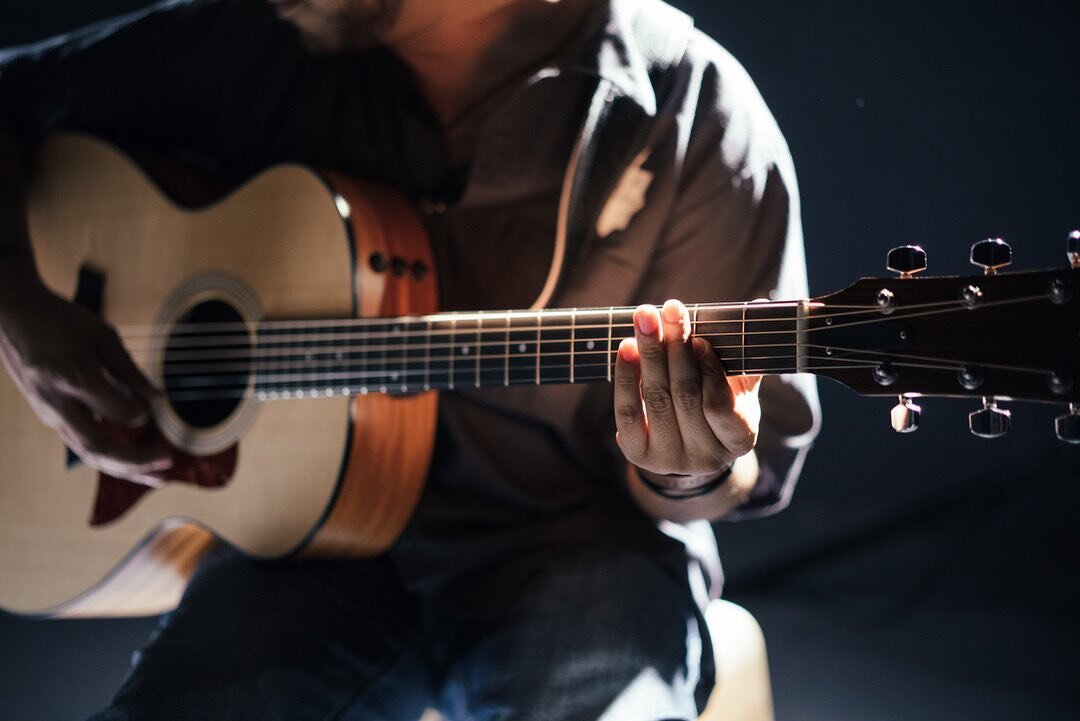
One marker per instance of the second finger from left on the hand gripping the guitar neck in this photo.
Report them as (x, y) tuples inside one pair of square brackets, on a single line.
[(656, 388)]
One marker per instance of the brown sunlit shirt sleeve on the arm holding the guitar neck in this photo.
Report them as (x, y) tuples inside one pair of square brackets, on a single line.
[(735, 234)]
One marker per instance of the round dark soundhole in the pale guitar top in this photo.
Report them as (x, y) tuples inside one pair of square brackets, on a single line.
[(208, 364)]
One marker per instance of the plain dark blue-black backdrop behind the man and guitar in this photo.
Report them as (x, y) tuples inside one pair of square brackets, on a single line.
[(924, 577)]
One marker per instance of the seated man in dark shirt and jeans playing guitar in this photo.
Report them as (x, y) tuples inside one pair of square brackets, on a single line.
[(570, 154)]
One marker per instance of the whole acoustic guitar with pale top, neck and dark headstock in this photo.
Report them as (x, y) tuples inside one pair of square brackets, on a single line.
[(293, 328)]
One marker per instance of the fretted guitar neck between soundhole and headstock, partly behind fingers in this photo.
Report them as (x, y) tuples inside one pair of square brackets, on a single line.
[(449, 351)]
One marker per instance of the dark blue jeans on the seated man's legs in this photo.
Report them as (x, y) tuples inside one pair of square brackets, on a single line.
[(599, 633)]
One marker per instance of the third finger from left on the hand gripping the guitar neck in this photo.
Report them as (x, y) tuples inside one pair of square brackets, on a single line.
[(704, 451)]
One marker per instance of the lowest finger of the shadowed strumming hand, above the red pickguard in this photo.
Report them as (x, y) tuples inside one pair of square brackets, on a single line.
[(107, 453)]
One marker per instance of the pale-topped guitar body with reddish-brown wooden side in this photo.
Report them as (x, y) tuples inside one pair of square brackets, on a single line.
[(331, 477)]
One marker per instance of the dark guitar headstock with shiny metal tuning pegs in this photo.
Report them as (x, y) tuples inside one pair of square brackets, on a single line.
[(993, 337)]
